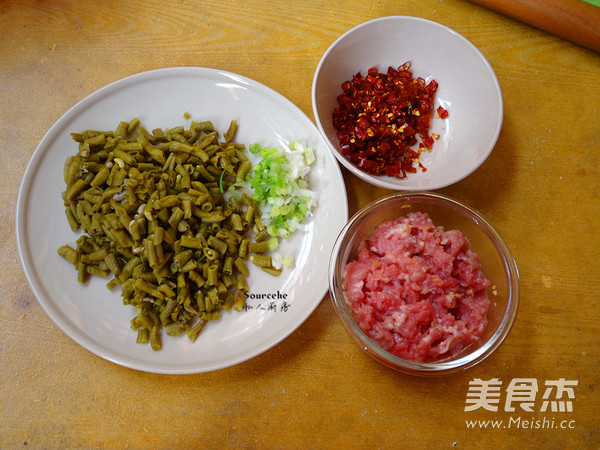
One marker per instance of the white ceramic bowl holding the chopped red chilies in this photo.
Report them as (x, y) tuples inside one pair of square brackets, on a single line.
[(468, 89)]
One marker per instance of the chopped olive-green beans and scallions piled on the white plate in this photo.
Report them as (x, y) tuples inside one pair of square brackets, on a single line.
[(164, 213)]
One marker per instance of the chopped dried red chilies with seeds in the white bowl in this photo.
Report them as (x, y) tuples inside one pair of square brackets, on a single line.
[(379, 118)]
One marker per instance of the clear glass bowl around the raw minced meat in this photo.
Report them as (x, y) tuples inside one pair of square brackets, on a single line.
[(497, 262)]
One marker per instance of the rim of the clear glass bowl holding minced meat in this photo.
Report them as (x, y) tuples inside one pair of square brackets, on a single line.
[(446, 366)]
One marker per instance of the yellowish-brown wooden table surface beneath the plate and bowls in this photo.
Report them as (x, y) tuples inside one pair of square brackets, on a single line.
[(540, 187)]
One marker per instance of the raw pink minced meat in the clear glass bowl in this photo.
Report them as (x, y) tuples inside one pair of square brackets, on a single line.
[(417, 290)]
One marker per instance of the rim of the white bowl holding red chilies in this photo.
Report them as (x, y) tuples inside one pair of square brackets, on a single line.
[(382, 180)]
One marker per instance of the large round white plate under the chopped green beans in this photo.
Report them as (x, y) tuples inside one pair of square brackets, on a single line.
[(94, 316)]
